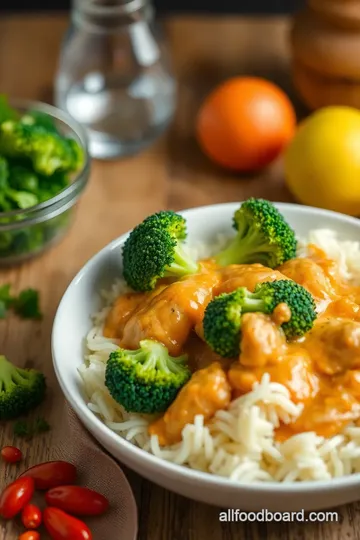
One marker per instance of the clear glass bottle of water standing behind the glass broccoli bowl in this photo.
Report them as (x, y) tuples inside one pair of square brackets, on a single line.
[(114, 75)]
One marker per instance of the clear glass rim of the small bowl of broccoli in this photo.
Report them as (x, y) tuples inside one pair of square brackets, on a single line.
[(80, 178)]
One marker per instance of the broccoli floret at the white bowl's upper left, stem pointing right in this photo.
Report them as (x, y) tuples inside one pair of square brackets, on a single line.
[(154, 249)]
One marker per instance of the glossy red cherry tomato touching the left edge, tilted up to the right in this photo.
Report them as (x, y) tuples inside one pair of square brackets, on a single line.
[(15, 496)]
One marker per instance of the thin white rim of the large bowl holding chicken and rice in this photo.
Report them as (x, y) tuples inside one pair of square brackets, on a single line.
[(160, 465)]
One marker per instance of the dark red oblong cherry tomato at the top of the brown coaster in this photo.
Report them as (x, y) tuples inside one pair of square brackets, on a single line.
[(52, 474)]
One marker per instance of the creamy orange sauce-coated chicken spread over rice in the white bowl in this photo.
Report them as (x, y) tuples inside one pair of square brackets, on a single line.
[(320, 370)]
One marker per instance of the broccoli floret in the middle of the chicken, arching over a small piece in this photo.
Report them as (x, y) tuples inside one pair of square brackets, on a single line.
[(222, 319)]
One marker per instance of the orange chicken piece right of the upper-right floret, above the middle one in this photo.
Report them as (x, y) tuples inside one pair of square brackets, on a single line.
[(312, 277)]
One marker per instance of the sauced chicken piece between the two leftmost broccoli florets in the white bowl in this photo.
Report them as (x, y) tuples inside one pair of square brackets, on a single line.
[(172, 314)]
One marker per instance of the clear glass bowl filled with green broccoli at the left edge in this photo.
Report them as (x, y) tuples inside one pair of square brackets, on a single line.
[(44, 167)]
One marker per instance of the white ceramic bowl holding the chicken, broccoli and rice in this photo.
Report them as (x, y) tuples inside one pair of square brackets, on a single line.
[(72, 323)]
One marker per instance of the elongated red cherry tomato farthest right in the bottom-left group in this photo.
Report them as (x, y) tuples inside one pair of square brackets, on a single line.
[(77, 500)]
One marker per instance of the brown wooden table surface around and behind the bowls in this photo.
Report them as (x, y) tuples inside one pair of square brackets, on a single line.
[(171, 174)]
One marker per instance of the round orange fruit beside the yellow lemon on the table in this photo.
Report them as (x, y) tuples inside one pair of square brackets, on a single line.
[(245, 123)]
